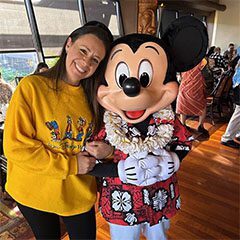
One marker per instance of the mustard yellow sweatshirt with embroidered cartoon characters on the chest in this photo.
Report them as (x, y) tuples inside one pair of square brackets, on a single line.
[(42, 133)]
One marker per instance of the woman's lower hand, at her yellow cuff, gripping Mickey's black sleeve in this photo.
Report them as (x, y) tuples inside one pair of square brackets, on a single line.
[(85, 162)]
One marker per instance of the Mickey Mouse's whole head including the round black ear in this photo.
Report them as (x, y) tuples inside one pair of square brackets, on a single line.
[(140, 72)]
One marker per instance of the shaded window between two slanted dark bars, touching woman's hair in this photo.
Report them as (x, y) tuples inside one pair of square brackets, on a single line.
[(56, 20)]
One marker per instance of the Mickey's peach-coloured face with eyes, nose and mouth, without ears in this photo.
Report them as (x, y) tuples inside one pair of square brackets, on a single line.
[(135, 82)]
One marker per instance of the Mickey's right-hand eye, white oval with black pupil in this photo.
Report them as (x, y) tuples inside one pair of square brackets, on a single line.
[(145, 73)]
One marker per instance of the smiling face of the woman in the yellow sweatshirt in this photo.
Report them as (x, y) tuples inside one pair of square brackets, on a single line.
[(83, 57)]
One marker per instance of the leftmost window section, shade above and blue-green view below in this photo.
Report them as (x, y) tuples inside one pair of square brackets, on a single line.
[(17, 53)]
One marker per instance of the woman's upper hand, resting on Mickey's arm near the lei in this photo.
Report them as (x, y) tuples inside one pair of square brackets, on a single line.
[(99, 149)]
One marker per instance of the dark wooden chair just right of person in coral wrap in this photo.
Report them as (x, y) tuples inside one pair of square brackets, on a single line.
[(216, 98)]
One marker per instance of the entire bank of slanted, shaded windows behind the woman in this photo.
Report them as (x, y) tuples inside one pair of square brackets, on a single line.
[(20, 46)]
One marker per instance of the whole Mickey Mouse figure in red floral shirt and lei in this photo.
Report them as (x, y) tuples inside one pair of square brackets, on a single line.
[(140, 86)]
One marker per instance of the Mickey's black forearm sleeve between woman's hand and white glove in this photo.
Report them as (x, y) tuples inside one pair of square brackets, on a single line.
[(108, 169)]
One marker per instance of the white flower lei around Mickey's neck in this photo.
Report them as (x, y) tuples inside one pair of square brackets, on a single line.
[(128, 138)]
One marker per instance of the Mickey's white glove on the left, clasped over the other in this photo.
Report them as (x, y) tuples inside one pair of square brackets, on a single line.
[(139, 169)]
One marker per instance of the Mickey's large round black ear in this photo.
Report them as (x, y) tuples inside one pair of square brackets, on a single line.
[(187, 39)]
